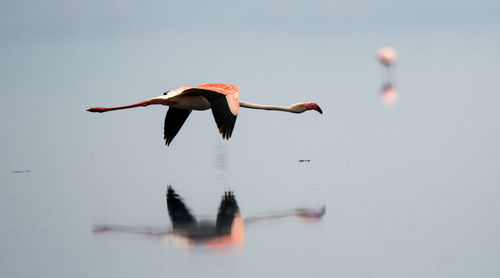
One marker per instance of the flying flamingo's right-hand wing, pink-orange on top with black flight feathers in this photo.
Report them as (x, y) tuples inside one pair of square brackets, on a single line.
[(221, 104)]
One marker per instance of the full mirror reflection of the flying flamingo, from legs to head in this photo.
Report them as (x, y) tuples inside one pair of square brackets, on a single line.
[(228, 229)]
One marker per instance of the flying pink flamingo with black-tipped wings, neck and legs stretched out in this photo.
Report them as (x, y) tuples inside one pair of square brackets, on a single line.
[(223, 99)]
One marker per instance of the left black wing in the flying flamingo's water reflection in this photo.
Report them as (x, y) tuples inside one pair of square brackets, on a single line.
[(178, 212)]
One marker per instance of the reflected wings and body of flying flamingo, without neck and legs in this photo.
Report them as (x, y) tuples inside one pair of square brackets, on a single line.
[(227, 229)]
